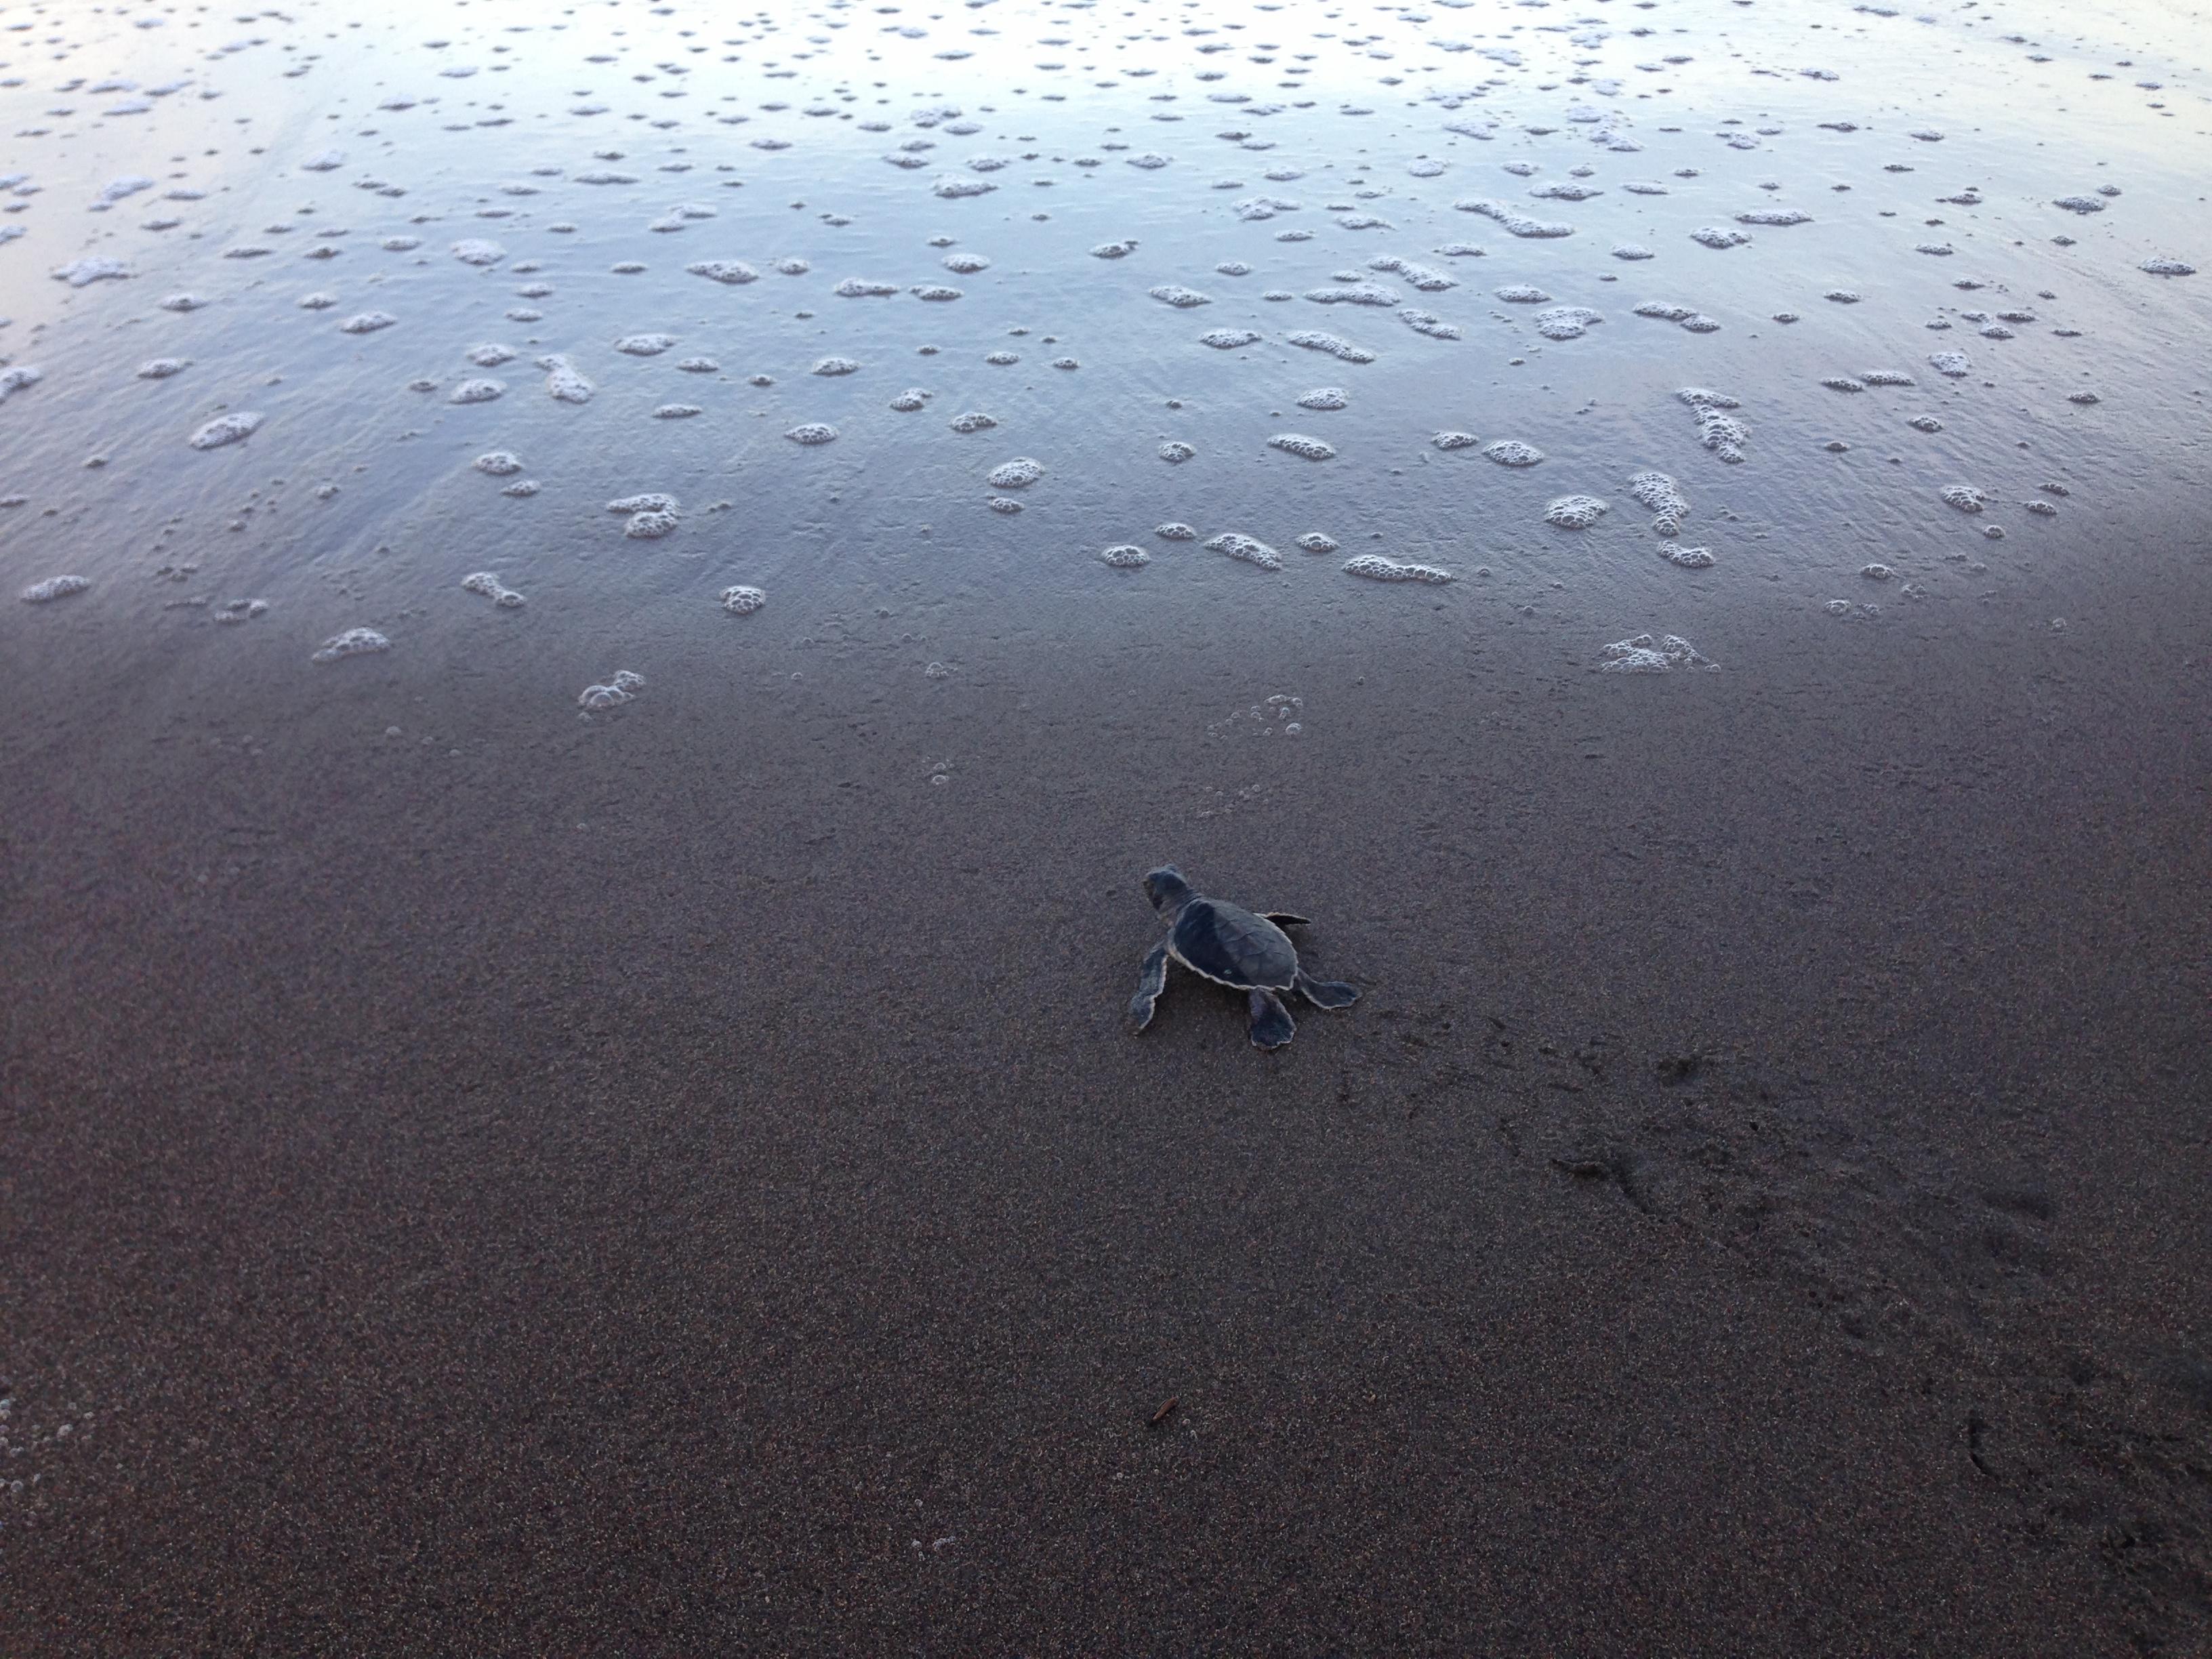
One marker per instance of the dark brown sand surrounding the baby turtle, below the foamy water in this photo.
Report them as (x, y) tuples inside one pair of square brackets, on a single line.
[(1755, 1209)]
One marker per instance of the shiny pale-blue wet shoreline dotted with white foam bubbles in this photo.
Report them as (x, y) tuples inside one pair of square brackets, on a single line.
[(820, 284)]
